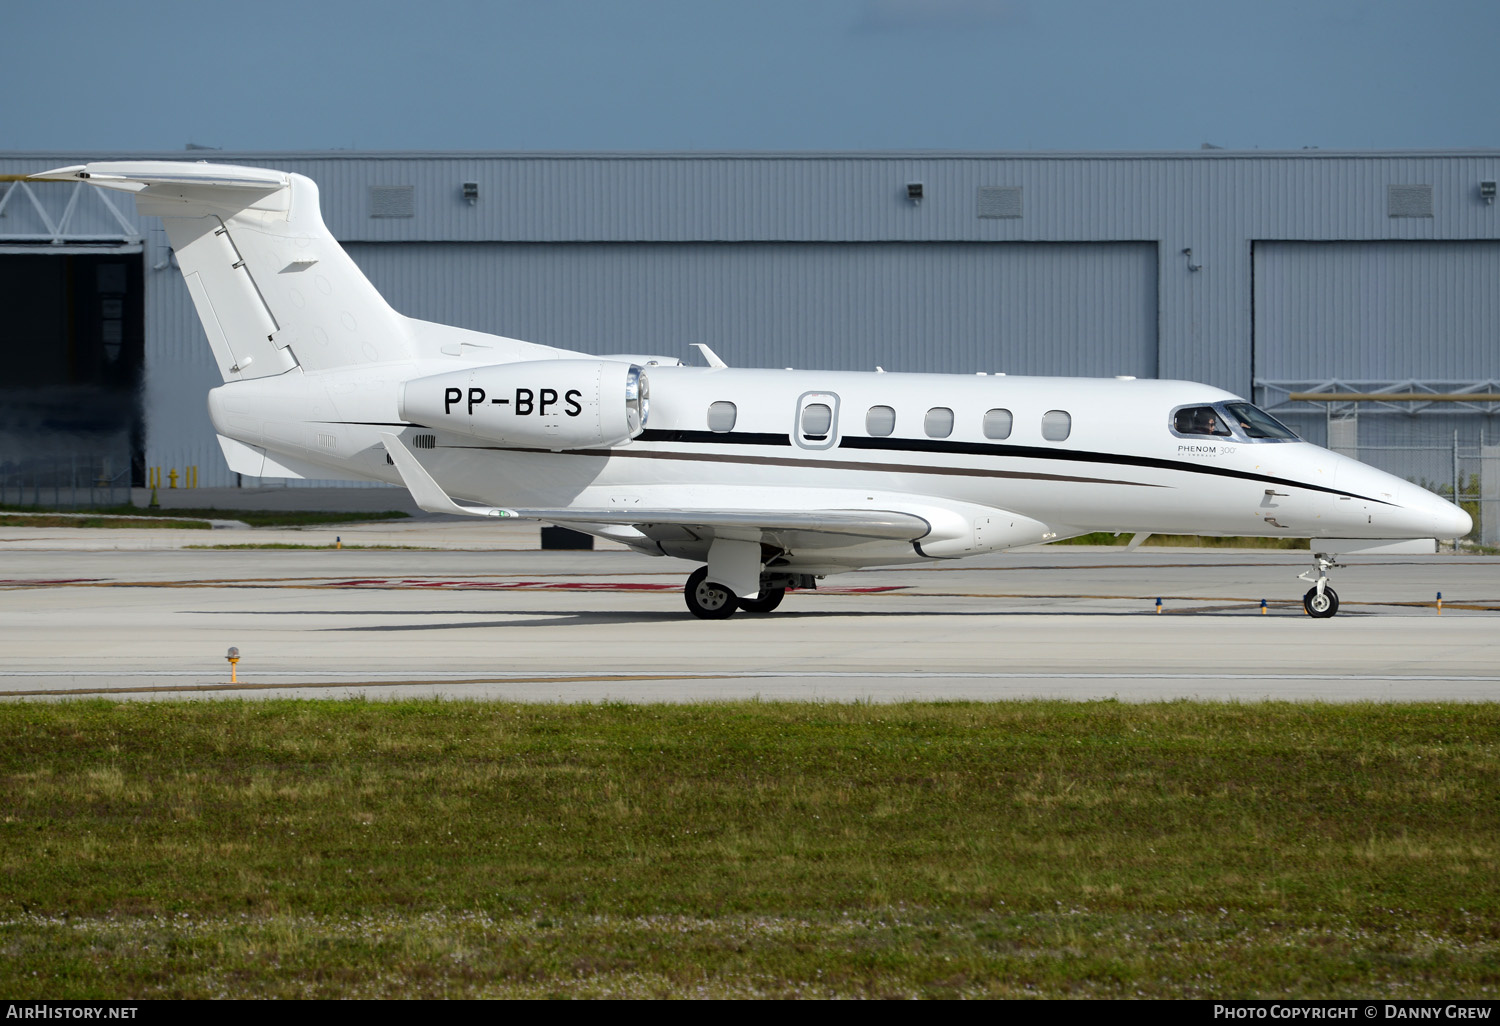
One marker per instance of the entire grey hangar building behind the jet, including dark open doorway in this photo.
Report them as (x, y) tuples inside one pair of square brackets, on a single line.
[(1265, 274)]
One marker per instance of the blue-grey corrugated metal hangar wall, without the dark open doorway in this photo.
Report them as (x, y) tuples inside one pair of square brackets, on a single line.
[(844, 271)]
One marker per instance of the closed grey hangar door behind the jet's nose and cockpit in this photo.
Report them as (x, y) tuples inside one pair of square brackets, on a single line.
[(1366, 317)]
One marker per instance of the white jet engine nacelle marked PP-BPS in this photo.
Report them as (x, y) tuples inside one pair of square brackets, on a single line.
[(542, 404)]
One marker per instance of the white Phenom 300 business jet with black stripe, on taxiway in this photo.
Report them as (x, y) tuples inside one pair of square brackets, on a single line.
[(773, 479)]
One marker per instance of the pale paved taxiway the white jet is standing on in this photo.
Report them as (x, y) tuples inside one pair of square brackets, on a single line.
[(487, 616)]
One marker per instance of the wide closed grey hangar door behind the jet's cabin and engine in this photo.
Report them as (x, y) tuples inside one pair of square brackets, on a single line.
[(1021, 308)]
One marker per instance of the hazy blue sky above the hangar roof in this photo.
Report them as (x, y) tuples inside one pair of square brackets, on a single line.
[(731, 76)]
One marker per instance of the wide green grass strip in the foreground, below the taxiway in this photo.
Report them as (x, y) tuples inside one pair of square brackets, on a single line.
[(943, 850)]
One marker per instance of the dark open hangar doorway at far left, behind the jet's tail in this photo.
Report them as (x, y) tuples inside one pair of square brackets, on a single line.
[(71, 344)]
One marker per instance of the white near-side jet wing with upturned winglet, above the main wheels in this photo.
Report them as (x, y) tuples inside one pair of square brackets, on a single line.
[(859, 524)]
